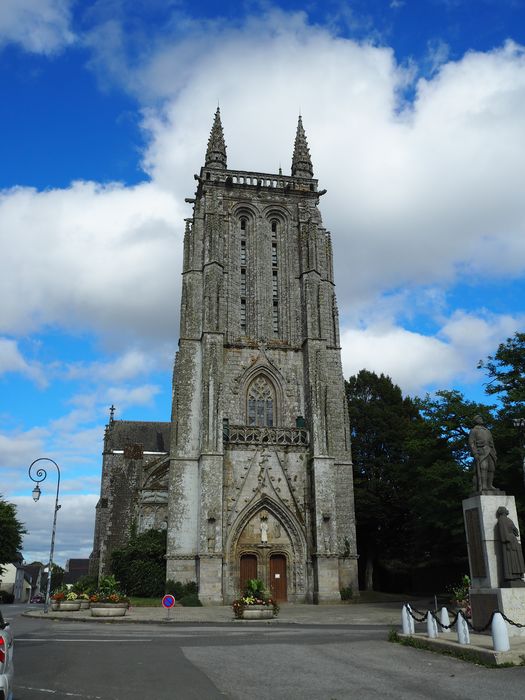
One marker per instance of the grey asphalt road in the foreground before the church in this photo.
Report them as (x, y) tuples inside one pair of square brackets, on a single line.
[(93, 661)]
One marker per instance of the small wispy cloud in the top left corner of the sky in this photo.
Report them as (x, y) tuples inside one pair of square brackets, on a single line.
[(39, 26)]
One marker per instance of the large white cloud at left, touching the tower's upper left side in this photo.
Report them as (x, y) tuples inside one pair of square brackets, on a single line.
[(104, 258)]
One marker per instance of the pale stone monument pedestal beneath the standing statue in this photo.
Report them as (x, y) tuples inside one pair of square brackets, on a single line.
[(488, 591)]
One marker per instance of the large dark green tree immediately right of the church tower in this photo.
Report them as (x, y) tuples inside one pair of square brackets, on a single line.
[(408, 484)]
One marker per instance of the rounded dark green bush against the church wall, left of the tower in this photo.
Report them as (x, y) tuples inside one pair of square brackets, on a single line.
[(140, 566)]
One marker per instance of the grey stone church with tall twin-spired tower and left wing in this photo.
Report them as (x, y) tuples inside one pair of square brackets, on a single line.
[(253, 476)]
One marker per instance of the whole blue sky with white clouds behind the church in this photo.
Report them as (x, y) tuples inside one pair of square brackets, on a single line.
[(414, 116)]
